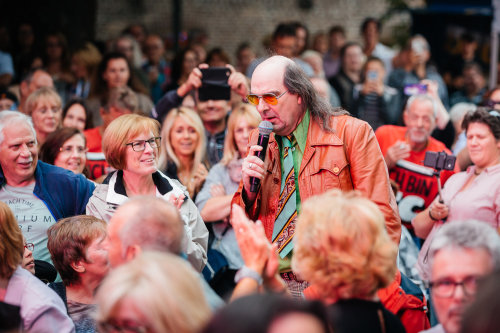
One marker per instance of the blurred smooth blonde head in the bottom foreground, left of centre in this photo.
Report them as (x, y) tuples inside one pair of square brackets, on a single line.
[(155, 293)]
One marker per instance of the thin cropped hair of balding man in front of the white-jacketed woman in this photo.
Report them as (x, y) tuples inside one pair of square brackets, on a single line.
[(155, 225)]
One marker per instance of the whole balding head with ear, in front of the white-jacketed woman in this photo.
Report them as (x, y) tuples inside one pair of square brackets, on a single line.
[(144, 223)]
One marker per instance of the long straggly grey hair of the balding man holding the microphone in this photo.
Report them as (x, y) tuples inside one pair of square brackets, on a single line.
[(297, 82)]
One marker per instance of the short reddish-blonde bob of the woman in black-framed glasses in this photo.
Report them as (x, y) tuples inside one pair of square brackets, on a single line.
[(120, 131)]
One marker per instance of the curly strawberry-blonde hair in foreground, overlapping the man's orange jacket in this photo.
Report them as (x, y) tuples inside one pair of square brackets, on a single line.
[(341, 245)]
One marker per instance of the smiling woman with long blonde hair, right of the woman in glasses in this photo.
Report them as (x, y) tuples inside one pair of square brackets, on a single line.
[(184, 154)]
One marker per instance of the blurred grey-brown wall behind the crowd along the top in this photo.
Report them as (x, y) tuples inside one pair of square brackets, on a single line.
[(229, 22)]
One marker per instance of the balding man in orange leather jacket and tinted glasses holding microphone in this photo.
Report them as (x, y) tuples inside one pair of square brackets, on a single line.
[(314, 148)]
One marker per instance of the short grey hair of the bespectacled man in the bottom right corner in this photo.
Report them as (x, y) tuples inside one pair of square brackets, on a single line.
[(470, 234)]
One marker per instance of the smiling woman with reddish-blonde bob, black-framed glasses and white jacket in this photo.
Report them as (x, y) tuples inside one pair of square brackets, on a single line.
[(131, 144)]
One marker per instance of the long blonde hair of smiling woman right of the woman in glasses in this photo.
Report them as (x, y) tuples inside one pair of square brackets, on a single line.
[(193, 119)]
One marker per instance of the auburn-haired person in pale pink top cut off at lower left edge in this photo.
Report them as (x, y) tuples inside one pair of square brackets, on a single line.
[(39, 307)]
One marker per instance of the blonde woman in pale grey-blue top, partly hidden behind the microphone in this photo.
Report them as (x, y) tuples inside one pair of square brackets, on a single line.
[(214, 199)]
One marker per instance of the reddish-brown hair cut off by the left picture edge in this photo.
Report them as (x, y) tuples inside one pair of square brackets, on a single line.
[(11, 242)]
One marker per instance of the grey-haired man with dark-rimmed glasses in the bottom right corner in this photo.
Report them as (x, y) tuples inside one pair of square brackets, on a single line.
[(461, 253)]
